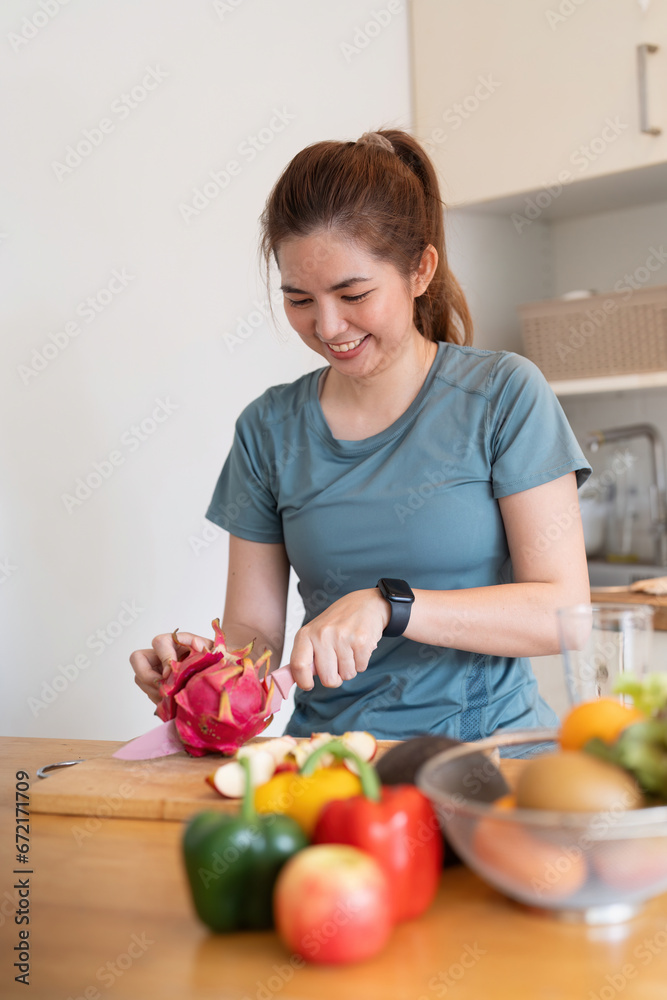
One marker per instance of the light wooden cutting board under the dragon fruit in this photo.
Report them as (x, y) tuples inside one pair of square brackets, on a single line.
[(172, 787)]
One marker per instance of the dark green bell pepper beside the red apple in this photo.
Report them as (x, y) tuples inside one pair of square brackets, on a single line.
[(232, 863)]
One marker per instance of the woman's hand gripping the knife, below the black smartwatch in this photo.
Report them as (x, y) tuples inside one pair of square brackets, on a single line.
[(339, 642)]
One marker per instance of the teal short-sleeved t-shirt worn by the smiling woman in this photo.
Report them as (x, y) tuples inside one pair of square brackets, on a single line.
[(417, 502)]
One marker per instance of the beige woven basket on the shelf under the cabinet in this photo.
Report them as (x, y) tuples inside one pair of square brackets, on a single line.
[(620, 333)]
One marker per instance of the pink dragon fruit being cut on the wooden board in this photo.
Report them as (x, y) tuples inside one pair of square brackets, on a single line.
[(217, 697)]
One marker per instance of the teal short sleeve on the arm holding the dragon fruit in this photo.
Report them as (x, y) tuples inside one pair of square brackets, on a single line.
[(243, 502)]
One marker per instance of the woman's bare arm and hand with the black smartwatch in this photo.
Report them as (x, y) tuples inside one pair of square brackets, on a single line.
[(546, 545)]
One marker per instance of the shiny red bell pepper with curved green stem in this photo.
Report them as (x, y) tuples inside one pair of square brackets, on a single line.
[(397, 825)]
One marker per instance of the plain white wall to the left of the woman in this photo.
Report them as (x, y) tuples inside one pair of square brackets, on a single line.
[(180, 335)]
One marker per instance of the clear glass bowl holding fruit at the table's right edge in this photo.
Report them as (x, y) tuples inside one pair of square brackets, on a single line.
[(587, 867)]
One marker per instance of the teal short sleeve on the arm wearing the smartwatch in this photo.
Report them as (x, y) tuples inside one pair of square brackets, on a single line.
[(529, 438)]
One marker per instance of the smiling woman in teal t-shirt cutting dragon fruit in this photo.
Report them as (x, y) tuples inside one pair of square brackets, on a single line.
[(411, 456)]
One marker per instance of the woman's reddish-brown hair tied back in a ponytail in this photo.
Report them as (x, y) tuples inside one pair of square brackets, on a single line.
[(383, 193)]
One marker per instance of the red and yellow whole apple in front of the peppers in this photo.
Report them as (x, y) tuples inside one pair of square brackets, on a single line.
[(332, 904)]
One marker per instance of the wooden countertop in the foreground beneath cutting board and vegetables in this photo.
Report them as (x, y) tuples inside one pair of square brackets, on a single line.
[(110, 914)]
